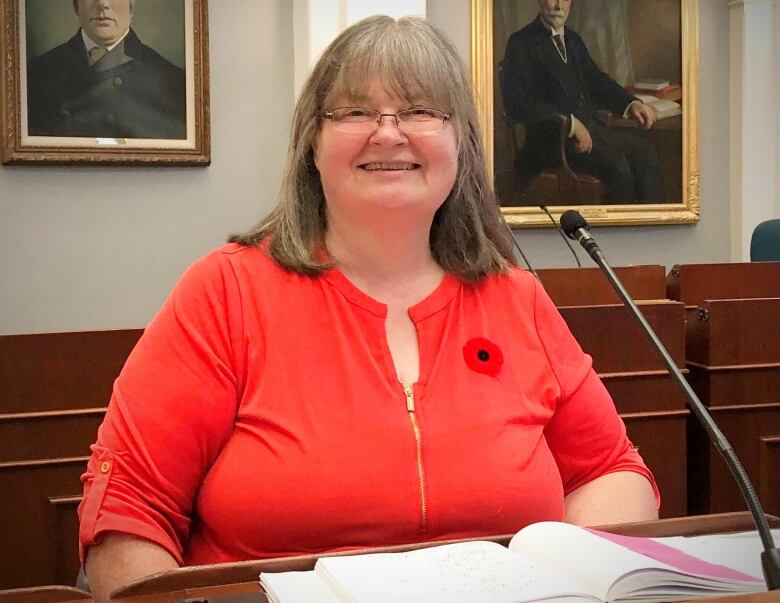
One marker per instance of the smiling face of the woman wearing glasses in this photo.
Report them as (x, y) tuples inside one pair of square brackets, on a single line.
[(410, 165)]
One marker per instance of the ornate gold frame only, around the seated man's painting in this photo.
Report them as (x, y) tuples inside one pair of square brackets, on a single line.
[(484, 65)]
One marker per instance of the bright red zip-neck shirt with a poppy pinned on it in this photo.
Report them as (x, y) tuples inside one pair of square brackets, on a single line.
[(260, 416)]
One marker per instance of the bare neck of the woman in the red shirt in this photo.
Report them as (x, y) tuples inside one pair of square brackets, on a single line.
[(388, 258)]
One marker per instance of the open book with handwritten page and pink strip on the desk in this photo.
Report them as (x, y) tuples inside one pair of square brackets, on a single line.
[(546, 561)]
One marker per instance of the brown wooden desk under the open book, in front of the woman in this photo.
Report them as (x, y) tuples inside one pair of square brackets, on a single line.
[(238, 582)]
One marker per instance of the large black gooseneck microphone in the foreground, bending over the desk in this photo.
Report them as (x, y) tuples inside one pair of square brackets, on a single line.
[(575, 227)]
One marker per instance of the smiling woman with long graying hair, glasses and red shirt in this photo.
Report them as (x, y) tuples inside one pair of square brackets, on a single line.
[(366, 367)]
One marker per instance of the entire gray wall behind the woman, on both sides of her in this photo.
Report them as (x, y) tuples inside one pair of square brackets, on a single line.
[(100, 248)]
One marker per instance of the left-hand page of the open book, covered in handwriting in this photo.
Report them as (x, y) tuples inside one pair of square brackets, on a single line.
[(467, 572)]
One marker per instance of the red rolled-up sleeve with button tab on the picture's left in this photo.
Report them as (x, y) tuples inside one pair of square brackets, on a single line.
[(172, 409)]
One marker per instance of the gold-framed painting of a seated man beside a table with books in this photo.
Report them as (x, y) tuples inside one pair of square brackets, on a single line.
[(591, 105)]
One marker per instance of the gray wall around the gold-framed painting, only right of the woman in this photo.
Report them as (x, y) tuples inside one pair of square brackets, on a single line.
[(706, 241)]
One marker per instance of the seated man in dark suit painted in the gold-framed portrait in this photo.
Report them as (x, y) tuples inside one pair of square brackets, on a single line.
[(548, 73)]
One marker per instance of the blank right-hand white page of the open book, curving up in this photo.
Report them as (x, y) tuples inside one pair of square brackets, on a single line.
[(585, 558)]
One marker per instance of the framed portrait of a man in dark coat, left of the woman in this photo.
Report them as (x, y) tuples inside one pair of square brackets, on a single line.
[(105, 82)]
